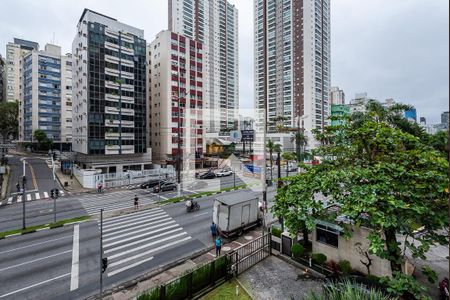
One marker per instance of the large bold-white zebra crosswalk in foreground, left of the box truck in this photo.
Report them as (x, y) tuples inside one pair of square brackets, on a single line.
[(131, 240)]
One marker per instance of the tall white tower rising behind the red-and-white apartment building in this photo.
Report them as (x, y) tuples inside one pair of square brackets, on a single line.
[(214, 23)]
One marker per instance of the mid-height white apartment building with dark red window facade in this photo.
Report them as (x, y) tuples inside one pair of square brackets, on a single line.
[(176, 98)]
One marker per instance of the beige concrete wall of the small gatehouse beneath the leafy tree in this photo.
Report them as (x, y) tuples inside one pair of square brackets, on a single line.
[(348, 251)]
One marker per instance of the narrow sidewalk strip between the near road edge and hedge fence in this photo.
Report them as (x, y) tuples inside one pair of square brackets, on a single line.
[(184, 266)]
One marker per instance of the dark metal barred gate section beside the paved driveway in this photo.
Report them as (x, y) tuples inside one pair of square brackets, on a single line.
[(250, 254)]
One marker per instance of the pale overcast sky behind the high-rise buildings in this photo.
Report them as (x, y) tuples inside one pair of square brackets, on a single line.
[(389, 49)]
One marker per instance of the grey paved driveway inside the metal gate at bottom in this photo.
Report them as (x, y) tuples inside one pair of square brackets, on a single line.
[(276, 279)]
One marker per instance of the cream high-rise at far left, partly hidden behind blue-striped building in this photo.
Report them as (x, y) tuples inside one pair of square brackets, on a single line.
[(14, 64)]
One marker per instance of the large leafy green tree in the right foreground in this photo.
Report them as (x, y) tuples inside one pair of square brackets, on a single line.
[(377, 175)]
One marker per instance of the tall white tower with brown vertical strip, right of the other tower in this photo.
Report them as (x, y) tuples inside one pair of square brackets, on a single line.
[(292, 62)]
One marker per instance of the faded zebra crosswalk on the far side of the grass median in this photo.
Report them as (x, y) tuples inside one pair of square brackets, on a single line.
[(92, 203)]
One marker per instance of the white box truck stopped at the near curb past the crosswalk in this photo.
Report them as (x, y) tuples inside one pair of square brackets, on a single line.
[(235, 212)]
